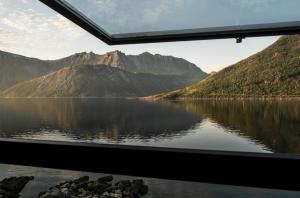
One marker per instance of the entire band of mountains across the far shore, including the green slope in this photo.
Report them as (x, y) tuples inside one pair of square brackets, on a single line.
[(273, 72)]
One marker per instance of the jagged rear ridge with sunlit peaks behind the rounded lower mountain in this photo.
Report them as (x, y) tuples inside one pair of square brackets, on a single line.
[(142, 63)]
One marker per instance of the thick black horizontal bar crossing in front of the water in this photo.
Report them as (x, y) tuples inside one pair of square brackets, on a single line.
[(278, 171)]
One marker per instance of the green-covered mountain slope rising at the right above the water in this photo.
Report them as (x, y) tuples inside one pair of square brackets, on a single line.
[(275, 71)]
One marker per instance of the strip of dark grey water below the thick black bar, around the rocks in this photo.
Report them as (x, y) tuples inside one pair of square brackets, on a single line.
[(158, 188)]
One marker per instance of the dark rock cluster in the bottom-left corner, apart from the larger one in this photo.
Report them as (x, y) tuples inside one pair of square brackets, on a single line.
[(11, 187)]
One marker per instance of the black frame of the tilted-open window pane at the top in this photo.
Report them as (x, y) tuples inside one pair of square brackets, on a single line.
[(239, 32)]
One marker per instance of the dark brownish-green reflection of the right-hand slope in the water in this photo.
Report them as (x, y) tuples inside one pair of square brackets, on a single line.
[(275, 124)]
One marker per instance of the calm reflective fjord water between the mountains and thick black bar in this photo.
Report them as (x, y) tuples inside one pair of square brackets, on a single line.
[(235, 125)]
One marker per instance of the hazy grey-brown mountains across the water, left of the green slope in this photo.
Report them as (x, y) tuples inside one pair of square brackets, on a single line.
[(113, 74)]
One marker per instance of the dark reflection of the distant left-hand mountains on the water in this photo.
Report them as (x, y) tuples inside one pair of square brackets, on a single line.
[(93, 118)]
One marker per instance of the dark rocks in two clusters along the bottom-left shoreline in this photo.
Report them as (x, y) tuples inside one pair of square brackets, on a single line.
[(82, 187)]
